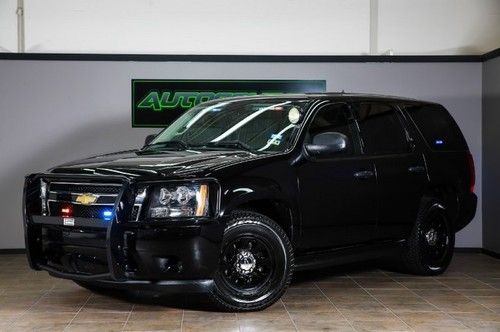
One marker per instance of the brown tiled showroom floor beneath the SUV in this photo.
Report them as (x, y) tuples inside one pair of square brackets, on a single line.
[(465, 298)]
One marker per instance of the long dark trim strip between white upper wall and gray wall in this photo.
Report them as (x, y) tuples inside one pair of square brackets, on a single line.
[(246, 58)]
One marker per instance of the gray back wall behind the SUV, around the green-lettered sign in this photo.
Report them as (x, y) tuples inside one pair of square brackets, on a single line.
[(54, 111)]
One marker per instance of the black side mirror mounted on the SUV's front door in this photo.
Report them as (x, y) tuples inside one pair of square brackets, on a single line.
[(327, 144)]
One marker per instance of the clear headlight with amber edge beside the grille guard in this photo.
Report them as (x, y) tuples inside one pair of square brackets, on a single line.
[(179, 200)]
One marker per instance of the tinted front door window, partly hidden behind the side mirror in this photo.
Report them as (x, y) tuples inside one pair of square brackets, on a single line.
[(334, 118)]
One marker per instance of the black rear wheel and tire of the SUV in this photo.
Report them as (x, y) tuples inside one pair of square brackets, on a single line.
[(429, 249)]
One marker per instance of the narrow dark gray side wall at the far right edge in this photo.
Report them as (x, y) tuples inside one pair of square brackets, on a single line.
[(491, 153)]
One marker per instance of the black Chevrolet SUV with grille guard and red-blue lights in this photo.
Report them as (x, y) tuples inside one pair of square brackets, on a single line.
[(237, 194)]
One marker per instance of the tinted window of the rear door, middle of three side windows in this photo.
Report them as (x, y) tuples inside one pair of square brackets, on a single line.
[(380, 128)]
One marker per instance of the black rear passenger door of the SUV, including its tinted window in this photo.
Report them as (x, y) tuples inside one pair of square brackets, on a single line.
[(400, 167)]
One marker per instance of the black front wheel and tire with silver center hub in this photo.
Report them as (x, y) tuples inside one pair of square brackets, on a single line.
[(255, 266)]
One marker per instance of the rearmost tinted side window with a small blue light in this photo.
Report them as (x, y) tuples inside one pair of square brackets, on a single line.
[(437, 126)]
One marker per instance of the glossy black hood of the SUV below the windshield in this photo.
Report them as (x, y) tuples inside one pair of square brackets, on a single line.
[(135, 163)]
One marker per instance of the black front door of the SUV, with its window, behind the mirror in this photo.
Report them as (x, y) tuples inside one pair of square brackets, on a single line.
[(338, 195)]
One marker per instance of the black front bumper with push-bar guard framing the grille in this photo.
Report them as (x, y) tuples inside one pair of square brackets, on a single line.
[(177, 255)]
